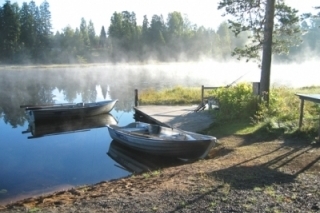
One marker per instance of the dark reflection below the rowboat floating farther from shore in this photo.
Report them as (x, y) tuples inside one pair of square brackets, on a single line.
[(63, 126)]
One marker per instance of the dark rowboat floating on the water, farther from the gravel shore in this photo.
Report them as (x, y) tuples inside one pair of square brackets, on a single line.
[(56, 111)]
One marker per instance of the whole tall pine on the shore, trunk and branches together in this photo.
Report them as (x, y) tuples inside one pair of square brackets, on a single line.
[(258, 17)]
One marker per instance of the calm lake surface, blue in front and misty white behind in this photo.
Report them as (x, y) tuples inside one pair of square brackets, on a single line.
[(31, 166)]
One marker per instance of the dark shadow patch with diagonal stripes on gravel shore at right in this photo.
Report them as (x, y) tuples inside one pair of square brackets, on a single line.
[(240, 176)]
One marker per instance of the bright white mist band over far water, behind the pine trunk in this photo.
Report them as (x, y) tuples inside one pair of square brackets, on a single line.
[(210, 73)]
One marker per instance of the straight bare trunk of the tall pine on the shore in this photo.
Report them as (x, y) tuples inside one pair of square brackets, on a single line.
[(267, 51)]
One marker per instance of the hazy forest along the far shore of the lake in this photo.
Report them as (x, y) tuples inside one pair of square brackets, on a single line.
[(26, 37)]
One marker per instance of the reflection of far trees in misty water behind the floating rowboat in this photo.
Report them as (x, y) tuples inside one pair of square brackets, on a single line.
[(36, 86)]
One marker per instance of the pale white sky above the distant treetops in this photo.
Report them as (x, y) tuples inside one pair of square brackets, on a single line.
[(199, 12)]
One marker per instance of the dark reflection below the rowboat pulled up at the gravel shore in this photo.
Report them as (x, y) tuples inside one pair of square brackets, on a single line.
[(138, 162)]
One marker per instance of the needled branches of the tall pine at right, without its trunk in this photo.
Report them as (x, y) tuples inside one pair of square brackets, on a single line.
[(250, 16)]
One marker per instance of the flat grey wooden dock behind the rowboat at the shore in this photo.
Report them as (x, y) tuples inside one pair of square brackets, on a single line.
[(181, 117)]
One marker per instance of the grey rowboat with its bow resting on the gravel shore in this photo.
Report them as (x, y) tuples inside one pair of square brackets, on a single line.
[(163, 141)]
